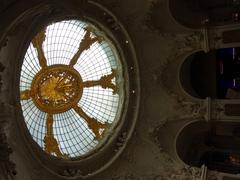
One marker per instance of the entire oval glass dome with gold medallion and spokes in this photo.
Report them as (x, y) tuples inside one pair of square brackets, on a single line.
[(71, 88)]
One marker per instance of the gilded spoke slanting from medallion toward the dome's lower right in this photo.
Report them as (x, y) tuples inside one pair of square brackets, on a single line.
[(92, 123)]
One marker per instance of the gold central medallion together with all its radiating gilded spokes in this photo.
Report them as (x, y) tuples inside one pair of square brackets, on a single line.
[(58, 88)]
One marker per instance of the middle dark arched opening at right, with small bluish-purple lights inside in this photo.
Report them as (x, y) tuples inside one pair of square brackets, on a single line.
[(215, 74)]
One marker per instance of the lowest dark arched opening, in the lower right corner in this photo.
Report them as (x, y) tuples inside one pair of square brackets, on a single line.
[(213, 144)]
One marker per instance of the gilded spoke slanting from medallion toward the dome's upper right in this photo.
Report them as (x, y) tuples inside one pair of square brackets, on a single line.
[(85, 44)]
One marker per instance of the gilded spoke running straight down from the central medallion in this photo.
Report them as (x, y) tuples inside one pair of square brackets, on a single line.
[(51, 144)]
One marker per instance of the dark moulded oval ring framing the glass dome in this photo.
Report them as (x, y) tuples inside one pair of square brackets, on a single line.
[(36, 16)]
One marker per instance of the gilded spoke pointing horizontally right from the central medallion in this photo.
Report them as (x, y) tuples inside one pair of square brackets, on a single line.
[(105, 82)]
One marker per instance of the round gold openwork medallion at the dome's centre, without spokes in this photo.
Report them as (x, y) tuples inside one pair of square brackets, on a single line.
[(57, 89)]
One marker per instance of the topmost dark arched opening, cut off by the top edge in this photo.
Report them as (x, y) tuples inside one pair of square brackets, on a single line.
[(197, 13)]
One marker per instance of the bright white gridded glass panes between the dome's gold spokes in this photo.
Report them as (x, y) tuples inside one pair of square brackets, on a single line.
[(73, 135)]
